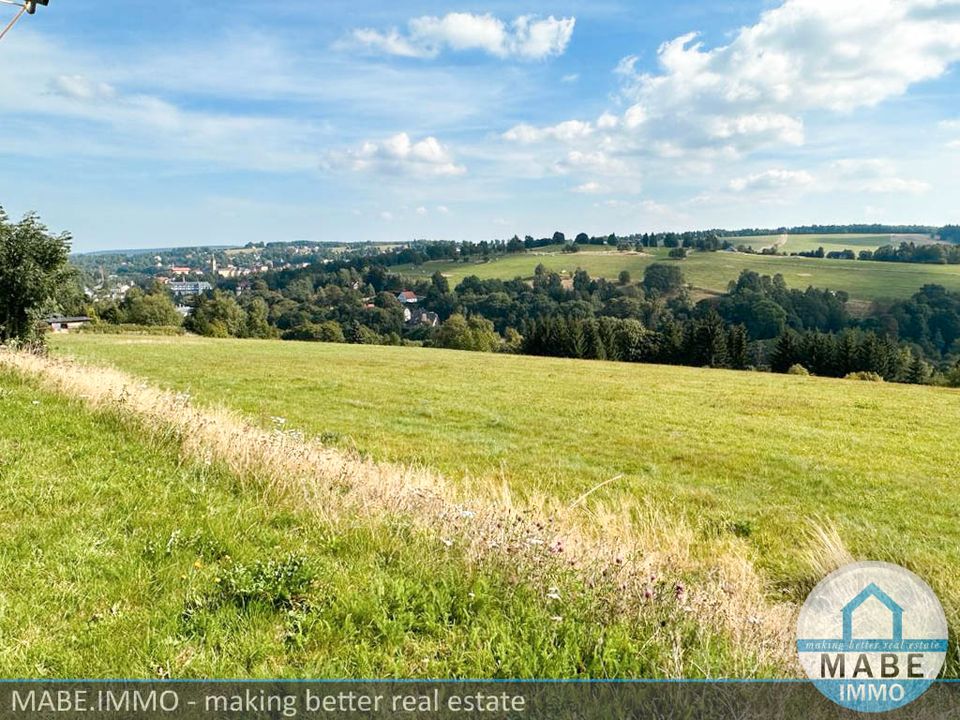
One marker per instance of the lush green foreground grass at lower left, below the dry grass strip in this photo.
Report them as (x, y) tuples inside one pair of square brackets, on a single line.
[(120, 559)]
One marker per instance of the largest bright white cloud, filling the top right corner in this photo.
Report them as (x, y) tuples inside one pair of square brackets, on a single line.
[(807, 55)]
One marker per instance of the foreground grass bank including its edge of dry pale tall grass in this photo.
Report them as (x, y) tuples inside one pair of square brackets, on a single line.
[(144, 539)]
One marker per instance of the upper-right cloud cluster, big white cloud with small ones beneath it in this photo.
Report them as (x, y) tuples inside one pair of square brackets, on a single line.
[(705, 106)]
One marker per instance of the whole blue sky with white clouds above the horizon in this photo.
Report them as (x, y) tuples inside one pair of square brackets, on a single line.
[(172, 122)]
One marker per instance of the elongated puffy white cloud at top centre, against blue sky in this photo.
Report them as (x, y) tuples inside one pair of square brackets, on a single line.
[(525, 37)]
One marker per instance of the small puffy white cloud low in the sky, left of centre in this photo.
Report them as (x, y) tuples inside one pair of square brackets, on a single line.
[(399, 155)]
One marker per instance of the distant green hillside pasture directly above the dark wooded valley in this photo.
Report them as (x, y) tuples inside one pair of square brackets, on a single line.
[(713, 271)]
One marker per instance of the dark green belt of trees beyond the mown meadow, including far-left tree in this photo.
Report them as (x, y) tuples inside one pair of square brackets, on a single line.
[(758, 323)]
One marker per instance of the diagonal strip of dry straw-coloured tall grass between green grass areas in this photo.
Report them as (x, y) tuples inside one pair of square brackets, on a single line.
[(622, 548)]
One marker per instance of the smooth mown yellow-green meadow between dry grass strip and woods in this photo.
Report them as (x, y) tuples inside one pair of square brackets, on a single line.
[(755, 454)]
